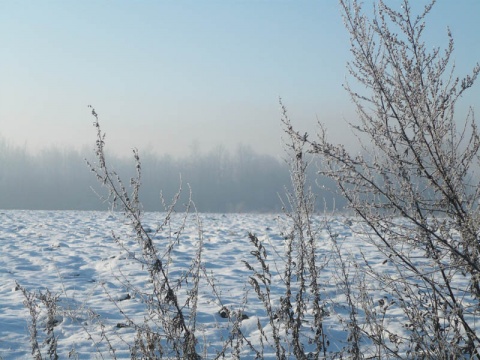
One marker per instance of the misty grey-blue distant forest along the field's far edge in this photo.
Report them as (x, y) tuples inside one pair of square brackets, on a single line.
[(59, 179)]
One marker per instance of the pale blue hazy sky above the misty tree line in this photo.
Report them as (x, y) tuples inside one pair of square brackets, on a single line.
[(166, 74)]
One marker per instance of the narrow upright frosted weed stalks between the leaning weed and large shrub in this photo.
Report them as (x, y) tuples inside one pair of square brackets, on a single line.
[(296, 318)]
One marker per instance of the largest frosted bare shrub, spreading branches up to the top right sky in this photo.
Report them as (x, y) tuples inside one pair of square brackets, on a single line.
[(413, 187)]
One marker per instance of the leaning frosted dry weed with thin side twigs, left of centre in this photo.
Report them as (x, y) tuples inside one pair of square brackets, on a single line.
[(170, 326)]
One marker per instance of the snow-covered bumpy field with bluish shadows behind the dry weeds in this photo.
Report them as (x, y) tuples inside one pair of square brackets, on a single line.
[(92, 262)]
